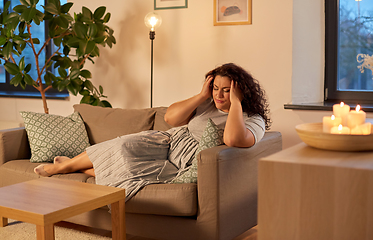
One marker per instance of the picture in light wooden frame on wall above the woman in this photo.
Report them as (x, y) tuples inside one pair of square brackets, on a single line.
[(232, 12)]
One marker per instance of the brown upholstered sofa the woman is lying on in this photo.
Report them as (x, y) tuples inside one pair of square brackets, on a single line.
[(221, 205)]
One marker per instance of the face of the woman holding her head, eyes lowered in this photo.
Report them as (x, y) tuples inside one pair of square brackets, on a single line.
[(221, 93)]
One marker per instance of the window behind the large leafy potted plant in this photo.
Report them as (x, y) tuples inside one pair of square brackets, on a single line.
[(38, 31)]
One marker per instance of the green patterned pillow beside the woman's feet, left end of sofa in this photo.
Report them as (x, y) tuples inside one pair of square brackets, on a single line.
[(52, 135)]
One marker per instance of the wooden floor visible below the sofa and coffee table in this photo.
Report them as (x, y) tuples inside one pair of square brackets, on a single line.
[(248, 235)]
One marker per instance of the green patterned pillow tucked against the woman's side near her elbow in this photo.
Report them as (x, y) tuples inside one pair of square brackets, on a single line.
[(212, 136)]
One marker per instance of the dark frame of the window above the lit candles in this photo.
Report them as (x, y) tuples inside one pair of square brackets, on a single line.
[(331, 93)]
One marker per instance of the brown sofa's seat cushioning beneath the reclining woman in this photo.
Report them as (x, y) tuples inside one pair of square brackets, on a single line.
[(157, 199)]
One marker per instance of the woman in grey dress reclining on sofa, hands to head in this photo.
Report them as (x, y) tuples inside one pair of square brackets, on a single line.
[(230, 97)]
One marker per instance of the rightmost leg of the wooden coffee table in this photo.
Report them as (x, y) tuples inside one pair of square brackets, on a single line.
[(118, 220)]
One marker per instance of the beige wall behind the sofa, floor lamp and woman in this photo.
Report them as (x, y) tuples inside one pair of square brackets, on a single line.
[(284, 51)]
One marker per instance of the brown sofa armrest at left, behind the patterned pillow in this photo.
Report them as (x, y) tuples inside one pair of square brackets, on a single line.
[(14, 145)]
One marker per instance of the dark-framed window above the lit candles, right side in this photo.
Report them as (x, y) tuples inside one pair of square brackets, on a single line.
[(348, 32)]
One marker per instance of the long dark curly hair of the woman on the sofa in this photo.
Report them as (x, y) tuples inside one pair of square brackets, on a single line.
[(254, 98)]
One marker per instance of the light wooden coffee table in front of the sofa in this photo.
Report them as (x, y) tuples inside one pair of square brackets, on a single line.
[(46, 201)]
